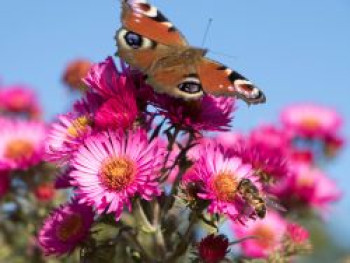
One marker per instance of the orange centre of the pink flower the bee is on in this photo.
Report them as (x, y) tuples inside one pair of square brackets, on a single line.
[(225, 186)]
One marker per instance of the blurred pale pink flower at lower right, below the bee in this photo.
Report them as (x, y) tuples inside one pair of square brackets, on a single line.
[(268, 235)]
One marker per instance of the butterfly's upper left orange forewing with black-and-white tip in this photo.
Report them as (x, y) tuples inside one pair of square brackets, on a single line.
[(146, 20)]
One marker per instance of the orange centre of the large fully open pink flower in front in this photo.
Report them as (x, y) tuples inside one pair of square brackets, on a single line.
[(118, 172)]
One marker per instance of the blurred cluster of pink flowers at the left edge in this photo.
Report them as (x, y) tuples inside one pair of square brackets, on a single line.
[(22, 134)]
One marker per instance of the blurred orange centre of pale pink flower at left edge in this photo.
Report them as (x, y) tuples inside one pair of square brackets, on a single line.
[(19, 149)]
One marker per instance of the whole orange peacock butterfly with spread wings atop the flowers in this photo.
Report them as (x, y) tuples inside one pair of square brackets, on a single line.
[(149, 42)]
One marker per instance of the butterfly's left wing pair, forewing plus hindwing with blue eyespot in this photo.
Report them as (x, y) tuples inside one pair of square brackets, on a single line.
[(146, 36)]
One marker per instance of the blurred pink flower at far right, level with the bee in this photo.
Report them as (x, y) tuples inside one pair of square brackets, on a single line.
[(312, 187)]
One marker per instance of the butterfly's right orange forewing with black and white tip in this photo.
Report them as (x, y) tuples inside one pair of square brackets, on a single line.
[(219, 80)]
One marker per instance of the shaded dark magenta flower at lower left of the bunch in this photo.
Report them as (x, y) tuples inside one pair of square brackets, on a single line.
[(65, 228)]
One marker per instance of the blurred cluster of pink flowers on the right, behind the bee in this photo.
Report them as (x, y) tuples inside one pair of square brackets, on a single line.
[(291, 155)]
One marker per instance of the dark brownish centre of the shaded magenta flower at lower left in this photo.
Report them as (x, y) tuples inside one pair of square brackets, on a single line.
[(70, 227)]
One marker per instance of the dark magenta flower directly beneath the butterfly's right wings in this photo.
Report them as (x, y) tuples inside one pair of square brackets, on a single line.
[(208, 113)]
